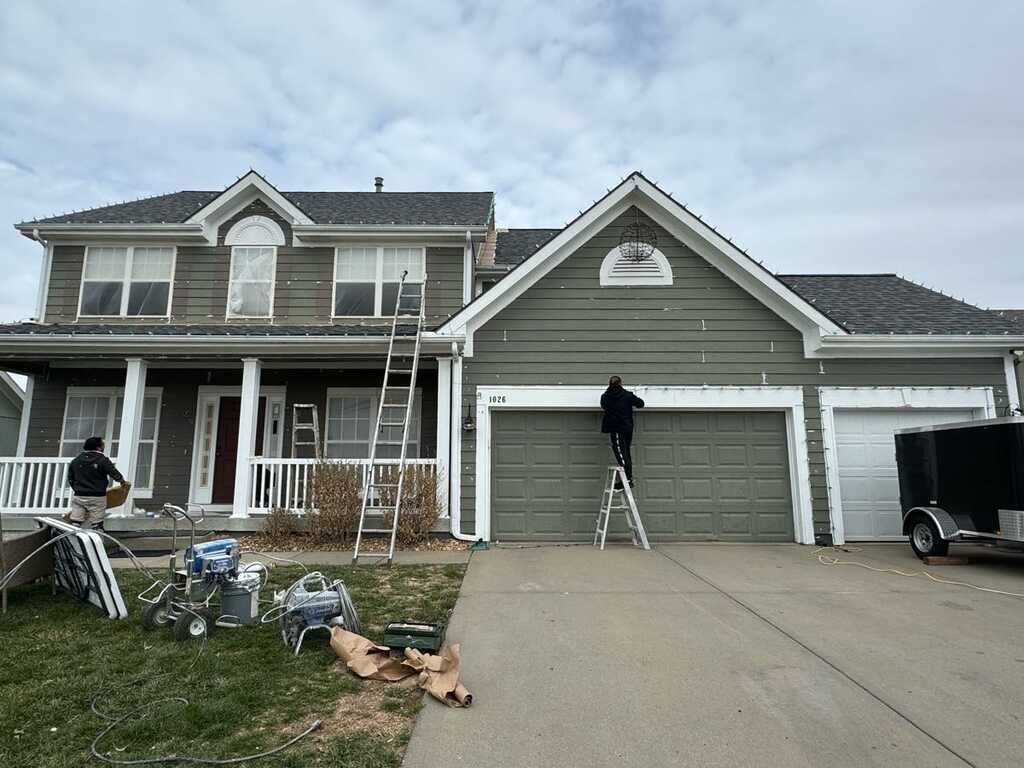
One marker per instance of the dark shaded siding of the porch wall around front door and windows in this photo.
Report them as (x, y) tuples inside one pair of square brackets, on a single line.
[(178, 419)]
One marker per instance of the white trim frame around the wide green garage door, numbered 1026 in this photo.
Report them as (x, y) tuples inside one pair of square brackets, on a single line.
[(788, 400)]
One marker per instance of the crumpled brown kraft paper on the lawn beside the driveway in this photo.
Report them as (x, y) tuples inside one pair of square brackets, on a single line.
[(438, 675)]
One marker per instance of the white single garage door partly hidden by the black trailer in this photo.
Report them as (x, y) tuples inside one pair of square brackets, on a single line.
[(869, 486)]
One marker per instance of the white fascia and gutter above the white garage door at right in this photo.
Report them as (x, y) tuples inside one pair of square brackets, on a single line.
[(911, 346)]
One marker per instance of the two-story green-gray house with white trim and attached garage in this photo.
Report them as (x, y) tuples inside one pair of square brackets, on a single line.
[(185, 327)]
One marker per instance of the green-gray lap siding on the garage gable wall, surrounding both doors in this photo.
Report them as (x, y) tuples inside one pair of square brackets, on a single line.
[(568, 330)]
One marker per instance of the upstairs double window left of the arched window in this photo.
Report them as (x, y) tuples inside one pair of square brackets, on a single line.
[(126, 282)]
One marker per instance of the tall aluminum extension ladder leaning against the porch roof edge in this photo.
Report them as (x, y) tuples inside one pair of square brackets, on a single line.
[(383, 485)]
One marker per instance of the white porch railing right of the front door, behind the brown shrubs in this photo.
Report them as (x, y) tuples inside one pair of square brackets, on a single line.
[(287, 484)]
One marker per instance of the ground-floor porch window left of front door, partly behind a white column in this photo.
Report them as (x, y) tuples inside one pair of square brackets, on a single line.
[(96, 412)]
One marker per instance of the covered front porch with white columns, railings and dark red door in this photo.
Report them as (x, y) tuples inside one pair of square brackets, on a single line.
[(218, 434)]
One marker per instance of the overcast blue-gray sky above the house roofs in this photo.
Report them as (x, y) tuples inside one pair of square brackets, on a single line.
[(862, 137)]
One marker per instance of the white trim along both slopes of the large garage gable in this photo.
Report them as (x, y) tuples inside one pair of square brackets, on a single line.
[(682, 225)]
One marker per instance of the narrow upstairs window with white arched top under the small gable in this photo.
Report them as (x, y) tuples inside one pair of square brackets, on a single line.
[(254, 266)]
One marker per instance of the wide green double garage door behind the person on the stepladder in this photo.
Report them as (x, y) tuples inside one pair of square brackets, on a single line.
[(700, 476)]
